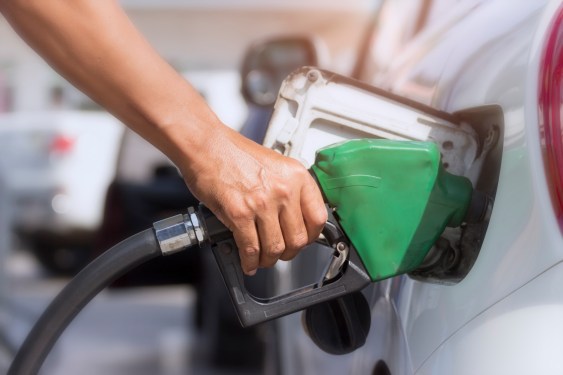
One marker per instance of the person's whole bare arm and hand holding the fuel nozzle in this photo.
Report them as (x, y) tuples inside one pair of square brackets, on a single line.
[(270, 202)]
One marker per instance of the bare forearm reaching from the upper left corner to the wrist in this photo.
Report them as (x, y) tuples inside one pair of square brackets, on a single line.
[(94, 45)]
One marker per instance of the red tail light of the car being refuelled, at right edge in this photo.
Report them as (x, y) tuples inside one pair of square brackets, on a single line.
[(551, 111)]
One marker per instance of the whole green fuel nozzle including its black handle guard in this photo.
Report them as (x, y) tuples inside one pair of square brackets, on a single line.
[(388, 203)]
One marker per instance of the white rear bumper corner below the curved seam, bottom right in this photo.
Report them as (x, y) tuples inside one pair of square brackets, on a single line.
[(521, 334)]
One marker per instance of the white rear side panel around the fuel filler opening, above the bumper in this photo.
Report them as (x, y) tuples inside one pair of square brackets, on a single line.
[(521, 222)]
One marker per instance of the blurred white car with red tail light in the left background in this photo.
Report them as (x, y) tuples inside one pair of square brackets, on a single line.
[(57, 167)]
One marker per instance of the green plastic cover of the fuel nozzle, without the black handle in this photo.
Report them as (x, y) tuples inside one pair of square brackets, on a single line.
[(393, 199)]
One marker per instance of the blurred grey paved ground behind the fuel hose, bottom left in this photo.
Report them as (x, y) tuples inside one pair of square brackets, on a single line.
[(138, 331)]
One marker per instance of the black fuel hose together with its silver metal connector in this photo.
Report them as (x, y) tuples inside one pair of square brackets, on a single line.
[(166, 237)]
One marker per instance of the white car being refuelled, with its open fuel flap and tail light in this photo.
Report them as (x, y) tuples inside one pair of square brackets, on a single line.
[(493, 303)]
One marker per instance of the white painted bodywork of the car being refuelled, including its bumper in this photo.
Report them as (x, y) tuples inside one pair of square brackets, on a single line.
[(504, 317)]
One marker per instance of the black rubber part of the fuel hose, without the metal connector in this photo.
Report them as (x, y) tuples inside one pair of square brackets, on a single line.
[(112, 264)]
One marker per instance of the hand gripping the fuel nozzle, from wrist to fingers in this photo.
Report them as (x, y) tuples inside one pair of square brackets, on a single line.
[(270, 202)]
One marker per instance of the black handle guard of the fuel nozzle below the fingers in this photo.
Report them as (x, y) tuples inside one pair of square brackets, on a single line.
[(252, 310)]
